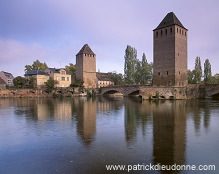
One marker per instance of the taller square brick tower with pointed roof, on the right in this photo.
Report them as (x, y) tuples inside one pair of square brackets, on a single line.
[(170, 53)]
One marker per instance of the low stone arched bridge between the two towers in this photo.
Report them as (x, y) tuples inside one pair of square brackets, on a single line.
[(126, 90)]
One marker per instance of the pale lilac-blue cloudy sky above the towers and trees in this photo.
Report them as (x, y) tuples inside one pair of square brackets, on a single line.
[(54, 31)]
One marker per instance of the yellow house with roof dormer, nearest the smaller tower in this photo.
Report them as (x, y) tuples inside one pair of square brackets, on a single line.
[(62, 76)]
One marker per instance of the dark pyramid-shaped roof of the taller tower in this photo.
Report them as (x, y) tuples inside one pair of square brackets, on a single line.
[(170, 19)]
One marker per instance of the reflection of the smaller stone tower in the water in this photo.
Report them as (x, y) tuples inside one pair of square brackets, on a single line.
[(86, 118)]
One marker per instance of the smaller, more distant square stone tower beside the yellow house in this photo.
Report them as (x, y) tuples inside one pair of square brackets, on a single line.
[(86, 66)]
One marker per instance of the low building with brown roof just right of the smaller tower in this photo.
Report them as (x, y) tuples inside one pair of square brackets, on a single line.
[(104, 79)]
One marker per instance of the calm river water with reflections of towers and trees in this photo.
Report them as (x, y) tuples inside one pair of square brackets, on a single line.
[(83, 135)]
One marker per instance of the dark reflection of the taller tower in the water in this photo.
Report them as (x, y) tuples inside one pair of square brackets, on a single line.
[(169, 121)]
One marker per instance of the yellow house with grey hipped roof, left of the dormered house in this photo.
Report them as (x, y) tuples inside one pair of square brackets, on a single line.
[(40, 76)]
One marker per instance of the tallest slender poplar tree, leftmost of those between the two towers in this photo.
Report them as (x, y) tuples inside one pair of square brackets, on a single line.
[(130, 63)]
